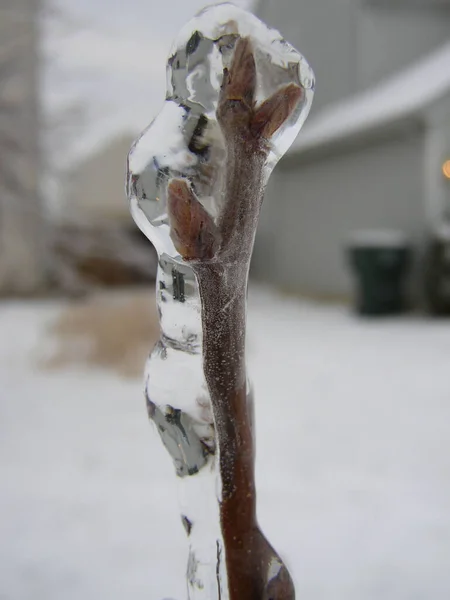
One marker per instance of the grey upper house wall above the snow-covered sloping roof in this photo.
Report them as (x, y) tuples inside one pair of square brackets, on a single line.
[(353, 44)]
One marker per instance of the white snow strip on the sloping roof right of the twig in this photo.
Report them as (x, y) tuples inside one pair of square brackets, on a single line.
[(398, 97)]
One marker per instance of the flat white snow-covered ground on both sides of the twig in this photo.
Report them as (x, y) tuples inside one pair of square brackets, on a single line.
[(353, 465)]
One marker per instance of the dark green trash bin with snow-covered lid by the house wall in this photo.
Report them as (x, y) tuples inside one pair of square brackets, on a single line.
[(380, 262)]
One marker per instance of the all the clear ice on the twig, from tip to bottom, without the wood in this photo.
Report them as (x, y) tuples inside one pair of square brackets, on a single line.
[(185, 141)]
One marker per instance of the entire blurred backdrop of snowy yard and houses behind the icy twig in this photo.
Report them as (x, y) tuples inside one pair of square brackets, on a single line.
[(348, 340)]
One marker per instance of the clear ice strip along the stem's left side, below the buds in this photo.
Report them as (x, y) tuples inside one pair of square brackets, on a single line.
[(179, 404)]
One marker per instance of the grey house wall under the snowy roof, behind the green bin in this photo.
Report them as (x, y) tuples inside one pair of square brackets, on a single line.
[(312, 207)]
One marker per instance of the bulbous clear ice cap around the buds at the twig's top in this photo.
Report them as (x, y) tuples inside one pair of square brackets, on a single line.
[(185, 140)]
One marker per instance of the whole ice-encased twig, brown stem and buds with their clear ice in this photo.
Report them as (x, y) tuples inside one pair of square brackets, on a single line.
[(237, 95)]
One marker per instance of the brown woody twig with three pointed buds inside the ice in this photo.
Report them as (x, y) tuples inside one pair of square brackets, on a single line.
[(220, 254)]
